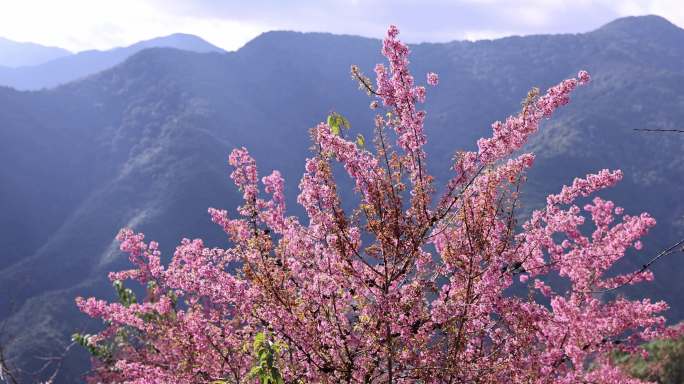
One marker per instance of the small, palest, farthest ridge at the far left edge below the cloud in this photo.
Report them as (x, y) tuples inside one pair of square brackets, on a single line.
[(15, 54)]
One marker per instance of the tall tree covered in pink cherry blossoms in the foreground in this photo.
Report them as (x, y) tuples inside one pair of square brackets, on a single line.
[(416, 284)]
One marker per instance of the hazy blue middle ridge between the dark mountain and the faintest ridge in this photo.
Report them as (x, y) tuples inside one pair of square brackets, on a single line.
[(69, 68)]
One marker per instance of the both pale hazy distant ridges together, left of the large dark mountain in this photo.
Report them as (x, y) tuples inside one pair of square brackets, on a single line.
[(55, 68)]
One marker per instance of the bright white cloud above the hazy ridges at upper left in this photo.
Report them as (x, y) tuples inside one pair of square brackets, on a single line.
[(96, 24)]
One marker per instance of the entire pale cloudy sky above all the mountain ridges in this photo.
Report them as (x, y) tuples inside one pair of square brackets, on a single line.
[(79, 25)]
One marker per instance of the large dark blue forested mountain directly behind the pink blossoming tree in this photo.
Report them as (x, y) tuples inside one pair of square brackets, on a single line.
[(144, 144)]
